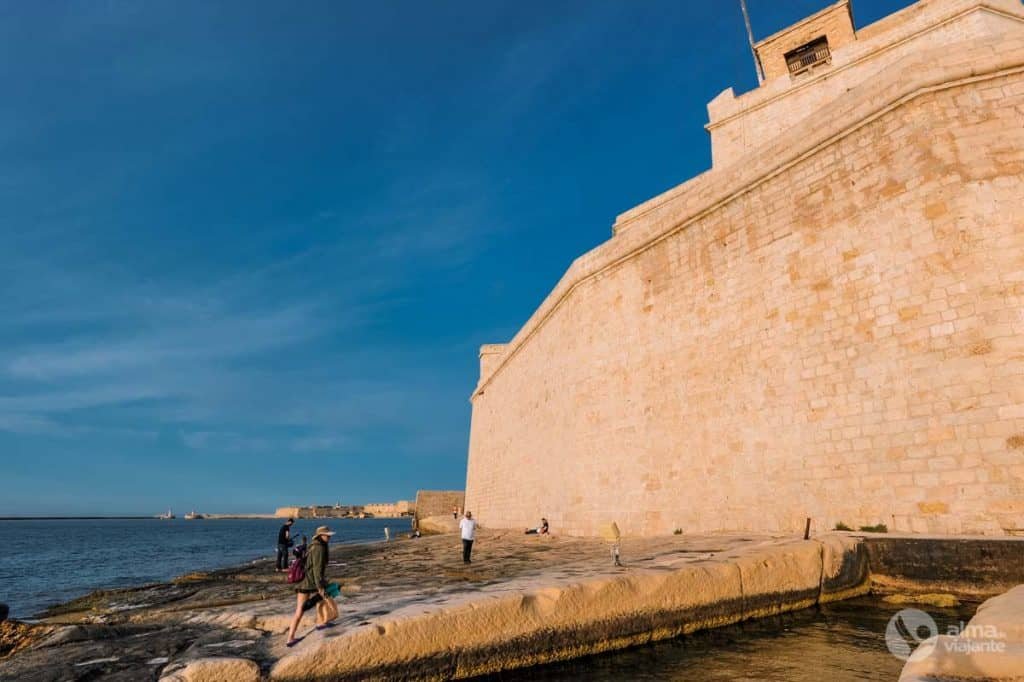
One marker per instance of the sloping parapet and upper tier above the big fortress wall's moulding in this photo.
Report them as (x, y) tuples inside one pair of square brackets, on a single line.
[(899, 59)]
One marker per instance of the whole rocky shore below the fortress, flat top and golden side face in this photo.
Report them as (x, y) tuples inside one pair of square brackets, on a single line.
[(411, 610)]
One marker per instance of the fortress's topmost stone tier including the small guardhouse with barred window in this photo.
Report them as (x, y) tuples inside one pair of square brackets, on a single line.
[(809, 65)]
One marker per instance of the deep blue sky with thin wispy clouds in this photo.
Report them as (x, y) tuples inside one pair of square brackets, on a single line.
[(250, 249)]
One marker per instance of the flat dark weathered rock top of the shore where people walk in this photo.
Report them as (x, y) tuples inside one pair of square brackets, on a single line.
[(160, 630)]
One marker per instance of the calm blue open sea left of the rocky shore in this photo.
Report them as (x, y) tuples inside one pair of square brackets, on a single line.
[(46, 563)]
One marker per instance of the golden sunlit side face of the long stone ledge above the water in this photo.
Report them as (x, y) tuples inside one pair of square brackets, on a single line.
[(521, 626)]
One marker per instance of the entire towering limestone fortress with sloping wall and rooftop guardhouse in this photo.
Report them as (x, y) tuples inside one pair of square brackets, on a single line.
[(828, 324)]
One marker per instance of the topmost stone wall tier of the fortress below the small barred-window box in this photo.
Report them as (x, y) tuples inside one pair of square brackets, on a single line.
[(740, 124)]
